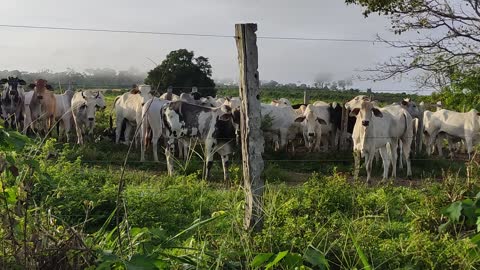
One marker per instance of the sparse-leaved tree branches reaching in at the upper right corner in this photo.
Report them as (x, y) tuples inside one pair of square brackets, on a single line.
[(451, 43)]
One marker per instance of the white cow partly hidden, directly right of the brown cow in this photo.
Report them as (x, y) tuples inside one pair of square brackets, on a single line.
[(63, 112)]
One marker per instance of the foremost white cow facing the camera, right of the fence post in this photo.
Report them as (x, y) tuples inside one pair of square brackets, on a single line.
[(380, 129)]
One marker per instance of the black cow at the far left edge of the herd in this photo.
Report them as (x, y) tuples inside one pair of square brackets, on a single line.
[(12, 100)]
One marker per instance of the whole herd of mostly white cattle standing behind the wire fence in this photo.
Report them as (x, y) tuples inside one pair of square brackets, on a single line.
[(393, 131)]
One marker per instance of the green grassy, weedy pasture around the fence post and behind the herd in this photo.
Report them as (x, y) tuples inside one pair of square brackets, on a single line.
[(316, 215)]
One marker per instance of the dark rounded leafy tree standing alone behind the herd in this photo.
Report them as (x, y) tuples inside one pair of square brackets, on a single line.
[(182, 70)]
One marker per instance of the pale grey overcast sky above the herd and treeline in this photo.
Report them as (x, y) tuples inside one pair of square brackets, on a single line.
[(284, 61)]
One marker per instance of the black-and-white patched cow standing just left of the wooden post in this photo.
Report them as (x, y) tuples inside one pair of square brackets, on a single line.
[(216, 128)]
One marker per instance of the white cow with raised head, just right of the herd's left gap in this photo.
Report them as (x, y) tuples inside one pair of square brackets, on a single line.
[(128, 108)]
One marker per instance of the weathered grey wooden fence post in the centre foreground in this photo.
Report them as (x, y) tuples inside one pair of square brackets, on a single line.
[(251, 135)]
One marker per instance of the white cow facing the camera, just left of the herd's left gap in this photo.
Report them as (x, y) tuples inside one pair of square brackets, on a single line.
[(84, 106)]
